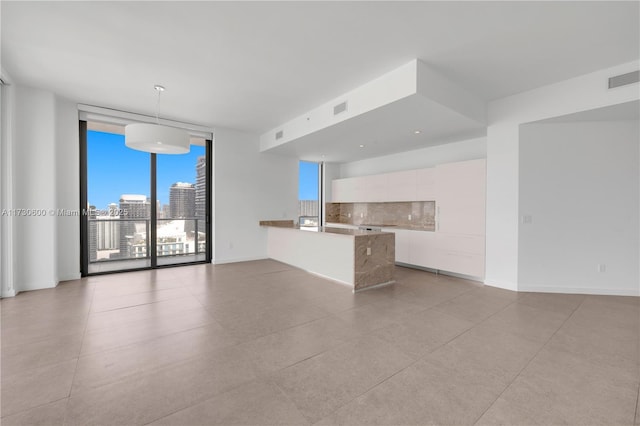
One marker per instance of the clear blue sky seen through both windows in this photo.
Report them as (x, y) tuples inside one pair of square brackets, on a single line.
[(113, 170)]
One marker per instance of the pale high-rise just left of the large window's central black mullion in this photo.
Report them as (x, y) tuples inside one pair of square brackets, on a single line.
[(132, 206)]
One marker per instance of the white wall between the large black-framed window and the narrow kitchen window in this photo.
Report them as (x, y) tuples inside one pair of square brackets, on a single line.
[(248, 187)]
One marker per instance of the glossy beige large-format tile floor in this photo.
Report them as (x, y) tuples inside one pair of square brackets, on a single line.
[(263, 343)]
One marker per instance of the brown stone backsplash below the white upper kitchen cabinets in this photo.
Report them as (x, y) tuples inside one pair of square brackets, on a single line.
[(413, 215)]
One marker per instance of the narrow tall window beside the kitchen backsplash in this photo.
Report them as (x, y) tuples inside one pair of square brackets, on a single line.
[(309, 203)]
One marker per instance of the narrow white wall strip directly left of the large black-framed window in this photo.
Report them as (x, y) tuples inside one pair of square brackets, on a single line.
[(67, 163)]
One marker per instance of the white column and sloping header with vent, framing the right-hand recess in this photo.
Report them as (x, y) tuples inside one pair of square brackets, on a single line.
[(505, 117)]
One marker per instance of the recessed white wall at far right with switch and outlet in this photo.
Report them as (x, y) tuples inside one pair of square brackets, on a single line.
[(579, 183)]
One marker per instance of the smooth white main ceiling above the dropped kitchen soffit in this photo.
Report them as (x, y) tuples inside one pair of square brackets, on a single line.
[(255, 65)]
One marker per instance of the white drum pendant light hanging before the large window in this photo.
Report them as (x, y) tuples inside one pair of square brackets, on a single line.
[(156, 138)]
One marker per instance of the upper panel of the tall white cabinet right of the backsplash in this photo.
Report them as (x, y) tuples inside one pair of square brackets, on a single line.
[(460, 197)]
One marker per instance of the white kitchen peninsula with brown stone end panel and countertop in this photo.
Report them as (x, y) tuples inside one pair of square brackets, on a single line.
[(358, 258)]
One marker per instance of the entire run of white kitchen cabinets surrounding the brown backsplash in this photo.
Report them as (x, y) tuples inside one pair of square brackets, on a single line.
[(458, 245)]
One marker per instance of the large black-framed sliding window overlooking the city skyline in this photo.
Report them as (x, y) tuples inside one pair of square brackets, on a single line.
[(142, 210)]
